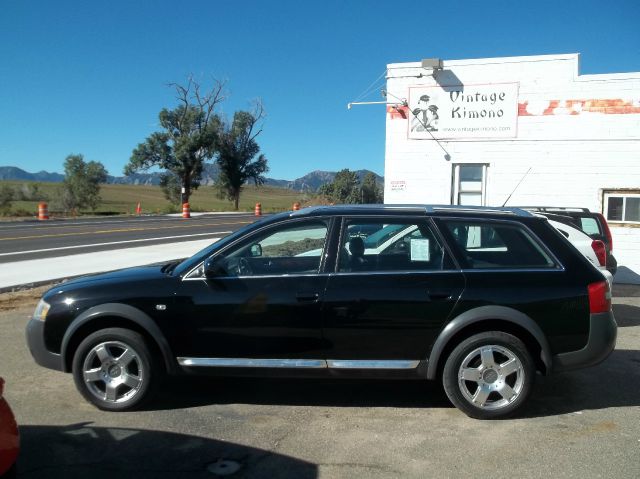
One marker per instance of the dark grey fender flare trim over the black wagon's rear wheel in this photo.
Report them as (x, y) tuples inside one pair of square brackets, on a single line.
[(486, 313)]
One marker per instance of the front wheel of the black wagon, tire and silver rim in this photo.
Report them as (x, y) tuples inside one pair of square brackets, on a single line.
[(115, 370)]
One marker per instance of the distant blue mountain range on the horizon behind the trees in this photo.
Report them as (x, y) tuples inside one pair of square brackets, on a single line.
[(309, 182)]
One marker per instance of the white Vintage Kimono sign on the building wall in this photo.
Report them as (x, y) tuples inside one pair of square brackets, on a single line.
[(463, 111)]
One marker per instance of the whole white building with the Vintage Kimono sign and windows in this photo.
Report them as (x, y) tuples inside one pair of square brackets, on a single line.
[(476, 130)]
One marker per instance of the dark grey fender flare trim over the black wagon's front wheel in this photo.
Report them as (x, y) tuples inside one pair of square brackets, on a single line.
[(121, 311)]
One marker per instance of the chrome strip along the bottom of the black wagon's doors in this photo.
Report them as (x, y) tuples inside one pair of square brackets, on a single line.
[(298, 363)]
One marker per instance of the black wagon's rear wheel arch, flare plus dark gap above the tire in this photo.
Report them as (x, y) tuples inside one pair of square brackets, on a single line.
[(490, 318)]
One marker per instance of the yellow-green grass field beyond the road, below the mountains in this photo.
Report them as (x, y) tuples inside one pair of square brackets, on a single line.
[(123, 199)]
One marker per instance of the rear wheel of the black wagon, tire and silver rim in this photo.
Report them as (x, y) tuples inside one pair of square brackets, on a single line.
[(489, 375)]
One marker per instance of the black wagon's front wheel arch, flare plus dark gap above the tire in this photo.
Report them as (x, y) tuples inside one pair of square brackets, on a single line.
[(115, 315)]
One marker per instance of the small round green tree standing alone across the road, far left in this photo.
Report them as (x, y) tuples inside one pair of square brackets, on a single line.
[(81, 185)]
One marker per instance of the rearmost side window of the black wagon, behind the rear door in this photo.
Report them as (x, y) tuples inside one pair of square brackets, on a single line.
[(487, 245)]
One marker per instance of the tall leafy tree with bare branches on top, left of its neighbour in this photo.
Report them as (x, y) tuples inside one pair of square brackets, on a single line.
[(188, 139)]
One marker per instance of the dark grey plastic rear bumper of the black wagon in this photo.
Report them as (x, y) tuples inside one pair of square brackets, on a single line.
[(602, 341)]
